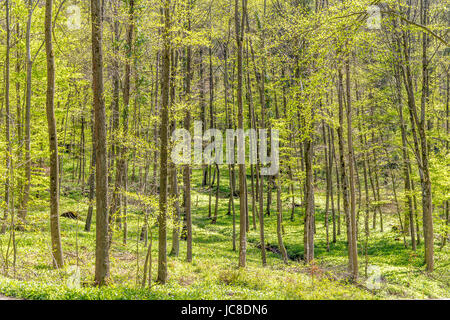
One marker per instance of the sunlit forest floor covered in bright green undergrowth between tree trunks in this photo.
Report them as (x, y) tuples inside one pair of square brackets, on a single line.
[(398, 271)]
